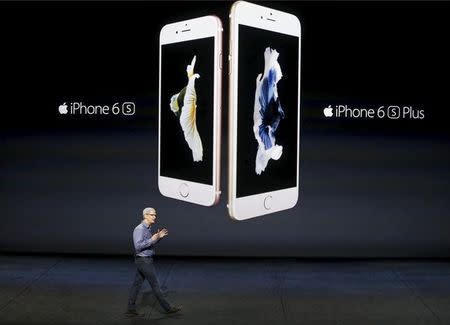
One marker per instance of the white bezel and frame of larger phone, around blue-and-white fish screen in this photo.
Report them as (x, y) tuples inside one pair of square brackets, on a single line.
[(250, 15)]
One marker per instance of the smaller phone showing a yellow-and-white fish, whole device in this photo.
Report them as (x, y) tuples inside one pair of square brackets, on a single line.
[(189, 110)]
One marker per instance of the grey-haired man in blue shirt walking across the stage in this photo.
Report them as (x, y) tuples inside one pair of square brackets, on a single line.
[(144, 243)]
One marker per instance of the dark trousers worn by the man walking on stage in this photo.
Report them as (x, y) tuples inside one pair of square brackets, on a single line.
[(145, 270)]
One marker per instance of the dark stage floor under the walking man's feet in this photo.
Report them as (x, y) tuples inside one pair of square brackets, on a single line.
[(93, 290)]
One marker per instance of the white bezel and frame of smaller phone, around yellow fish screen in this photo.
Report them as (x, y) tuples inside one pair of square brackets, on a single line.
[(197, 28)]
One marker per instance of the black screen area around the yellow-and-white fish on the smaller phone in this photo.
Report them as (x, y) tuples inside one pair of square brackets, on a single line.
[(176, 156)]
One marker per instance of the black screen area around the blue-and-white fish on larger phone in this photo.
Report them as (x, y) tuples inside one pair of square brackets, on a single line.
[(278, 174)]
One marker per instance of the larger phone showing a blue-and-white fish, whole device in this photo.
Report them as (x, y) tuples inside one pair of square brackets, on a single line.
[(264, 110)]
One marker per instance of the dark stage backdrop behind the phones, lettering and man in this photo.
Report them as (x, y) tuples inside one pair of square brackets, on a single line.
[(367, 187)]
